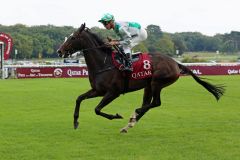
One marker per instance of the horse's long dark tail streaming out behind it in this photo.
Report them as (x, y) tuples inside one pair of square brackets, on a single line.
[(216, 90)]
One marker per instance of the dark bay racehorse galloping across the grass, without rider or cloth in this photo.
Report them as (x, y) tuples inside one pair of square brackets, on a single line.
[(108, 82)]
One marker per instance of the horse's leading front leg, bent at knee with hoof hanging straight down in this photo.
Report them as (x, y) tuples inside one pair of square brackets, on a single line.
[(89, 94)]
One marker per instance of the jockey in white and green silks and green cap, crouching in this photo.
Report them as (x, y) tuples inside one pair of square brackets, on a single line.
[(130, 33)]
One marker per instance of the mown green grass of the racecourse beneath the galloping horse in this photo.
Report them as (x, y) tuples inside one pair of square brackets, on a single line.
[(36, 123)]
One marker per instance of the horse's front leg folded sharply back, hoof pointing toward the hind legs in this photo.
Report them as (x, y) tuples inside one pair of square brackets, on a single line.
[(108, 97)]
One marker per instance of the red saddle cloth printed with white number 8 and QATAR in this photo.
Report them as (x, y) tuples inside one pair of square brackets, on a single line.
[(142, 65)]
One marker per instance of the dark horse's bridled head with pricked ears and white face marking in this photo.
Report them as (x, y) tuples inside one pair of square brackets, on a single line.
[(71, 44)]
